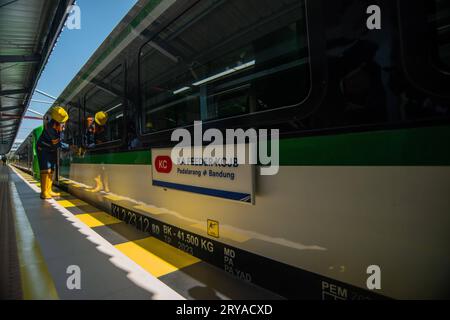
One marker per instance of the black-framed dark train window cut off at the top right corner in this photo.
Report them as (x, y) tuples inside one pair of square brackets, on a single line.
[(425, 47)]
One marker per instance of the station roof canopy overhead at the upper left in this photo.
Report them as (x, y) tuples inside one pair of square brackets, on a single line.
[(29, 30)]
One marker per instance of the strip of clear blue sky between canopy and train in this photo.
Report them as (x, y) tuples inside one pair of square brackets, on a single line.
[(74, 48)]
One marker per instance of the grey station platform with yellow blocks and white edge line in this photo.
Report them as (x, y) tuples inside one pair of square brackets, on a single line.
[(65, 248)]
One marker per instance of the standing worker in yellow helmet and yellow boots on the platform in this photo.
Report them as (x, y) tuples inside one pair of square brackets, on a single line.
[(47, 146)]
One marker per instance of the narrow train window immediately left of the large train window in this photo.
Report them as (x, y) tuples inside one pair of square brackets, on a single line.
[(107, 95)]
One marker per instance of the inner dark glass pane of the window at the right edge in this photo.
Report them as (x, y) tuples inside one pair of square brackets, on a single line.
[(439, 19)]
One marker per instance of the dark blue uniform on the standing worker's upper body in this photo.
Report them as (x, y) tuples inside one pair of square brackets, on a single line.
[(48, 144)]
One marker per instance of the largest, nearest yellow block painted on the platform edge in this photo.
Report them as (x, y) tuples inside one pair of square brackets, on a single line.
[(156, 257)]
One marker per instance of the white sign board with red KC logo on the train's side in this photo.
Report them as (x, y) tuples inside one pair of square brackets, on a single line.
[(229, 181)]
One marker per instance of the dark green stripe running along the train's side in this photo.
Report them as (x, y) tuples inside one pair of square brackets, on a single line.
[(419, 146)]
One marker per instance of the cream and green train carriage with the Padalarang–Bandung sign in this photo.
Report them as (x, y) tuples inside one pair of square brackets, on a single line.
[(363, 116)]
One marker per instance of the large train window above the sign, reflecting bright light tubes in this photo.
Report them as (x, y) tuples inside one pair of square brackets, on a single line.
[(225, 59)]
